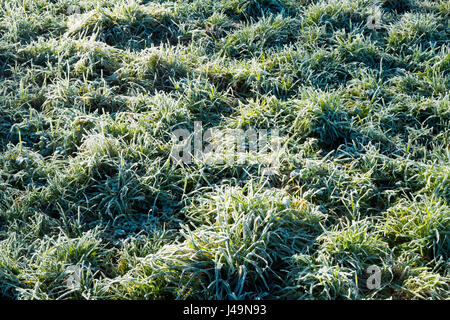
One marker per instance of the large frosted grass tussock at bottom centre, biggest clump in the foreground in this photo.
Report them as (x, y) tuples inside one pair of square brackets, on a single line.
[(241, 235)]
